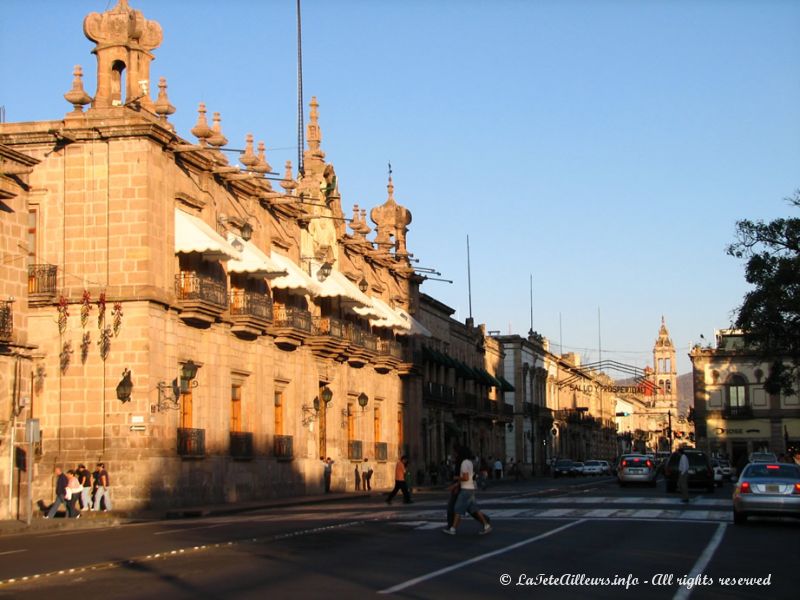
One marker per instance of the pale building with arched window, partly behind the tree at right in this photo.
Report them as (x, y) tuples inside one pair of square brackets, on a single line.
[(735, 414)]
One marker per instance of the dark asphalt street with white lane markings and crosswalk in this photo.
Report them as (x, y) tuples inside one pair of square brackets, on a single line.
[(589, 536)]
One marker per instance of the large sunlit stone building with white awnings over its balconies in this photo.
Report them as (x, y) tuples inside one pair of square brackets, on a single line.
[(205, 335)]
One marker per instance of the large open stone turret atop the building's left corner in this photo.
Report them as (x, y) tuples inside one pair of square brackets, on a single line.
[(124, 41)]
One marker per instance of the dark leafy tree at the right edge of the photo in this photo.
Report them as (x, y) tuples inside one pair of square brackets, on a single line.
[(770, 312)]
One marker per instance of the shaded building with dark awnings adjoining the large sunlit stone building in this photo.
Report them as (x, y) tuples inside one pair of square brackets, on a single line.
[(463, 388)]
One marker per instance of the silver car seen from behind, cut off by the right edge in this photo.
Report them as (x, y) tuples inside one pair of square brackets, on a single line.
[(767, 489)]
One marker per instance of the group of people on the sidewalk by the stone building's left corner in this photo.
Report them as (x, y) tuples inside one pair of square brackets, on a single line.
[(91, 489)]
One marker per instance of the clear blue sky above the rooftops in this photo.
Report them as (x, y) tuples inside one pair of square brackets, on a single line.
[(605, 148)]
